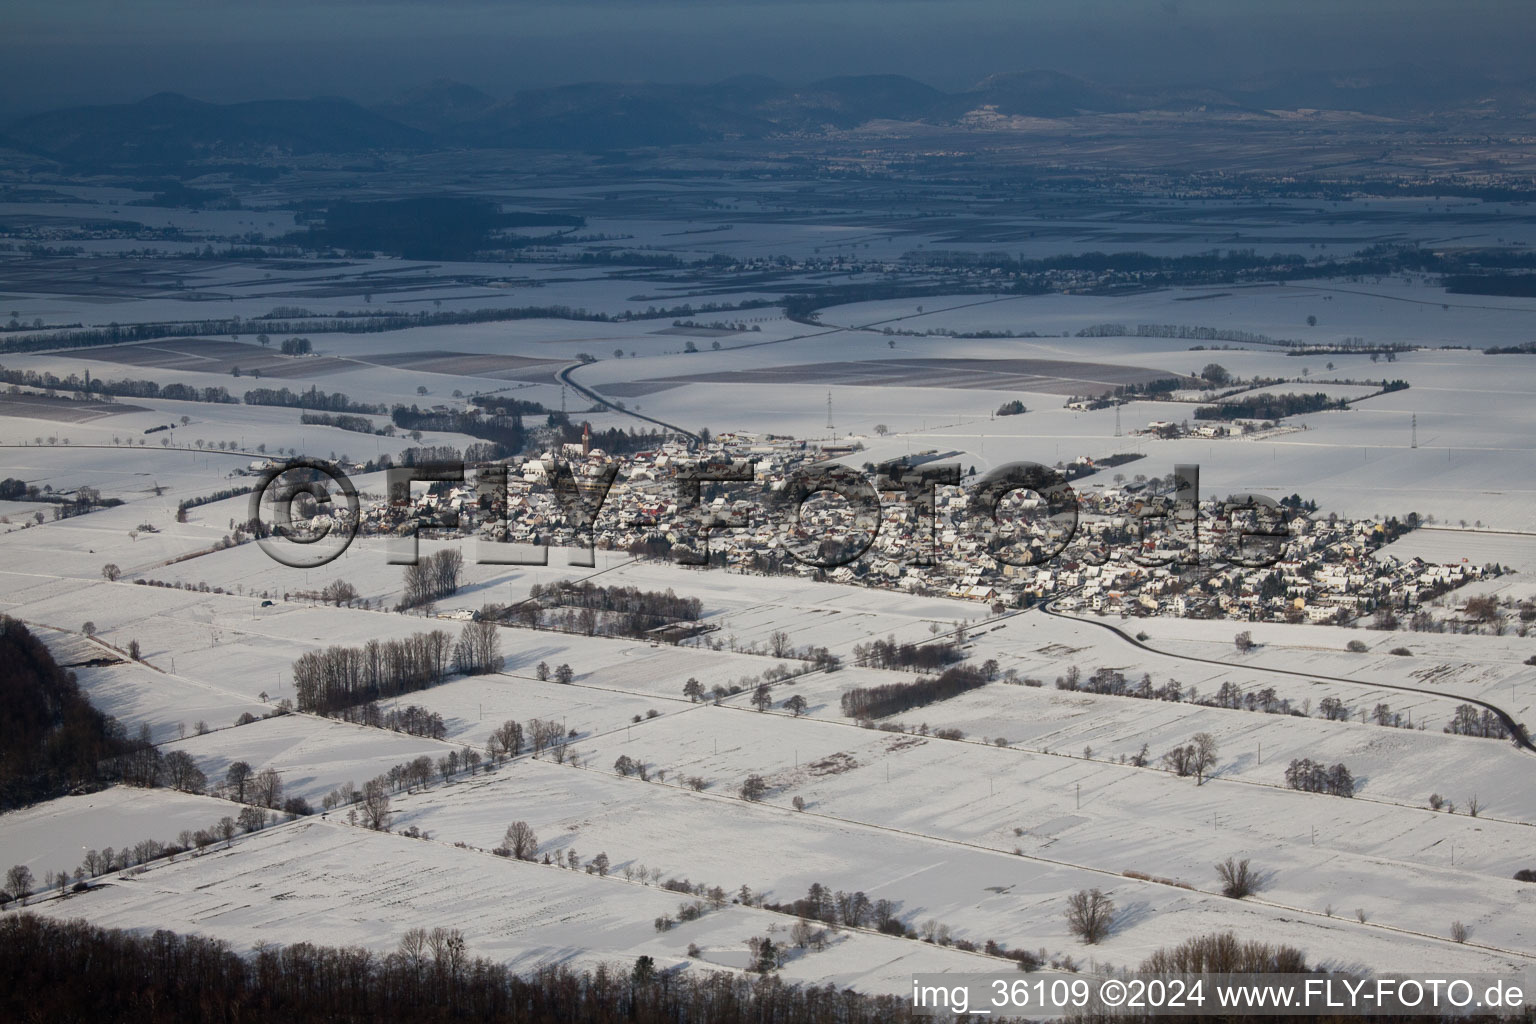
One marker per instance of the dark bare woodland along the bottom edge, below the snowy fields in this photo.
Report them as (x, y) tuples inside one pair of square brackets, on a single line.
[(73, 971)]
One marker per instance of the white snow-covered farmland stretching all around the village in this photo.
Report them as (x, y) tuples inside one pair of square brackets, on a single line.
[(985, 837)]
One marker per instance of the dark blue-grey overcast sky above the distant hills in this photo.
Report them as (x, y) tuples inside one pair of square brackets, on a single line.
[(105, 51)]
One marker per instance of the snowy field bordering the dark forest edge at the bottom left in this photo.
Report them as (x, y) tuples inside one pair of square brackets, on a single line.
[(348, 887)]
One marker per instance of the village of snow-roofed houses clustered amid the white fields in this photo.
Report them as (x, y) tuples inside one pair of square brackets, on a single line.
[(1325, 570)]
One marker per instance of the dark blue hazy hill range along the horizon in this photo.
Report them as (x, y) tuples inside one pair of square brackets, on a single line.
[(173, 130)]
